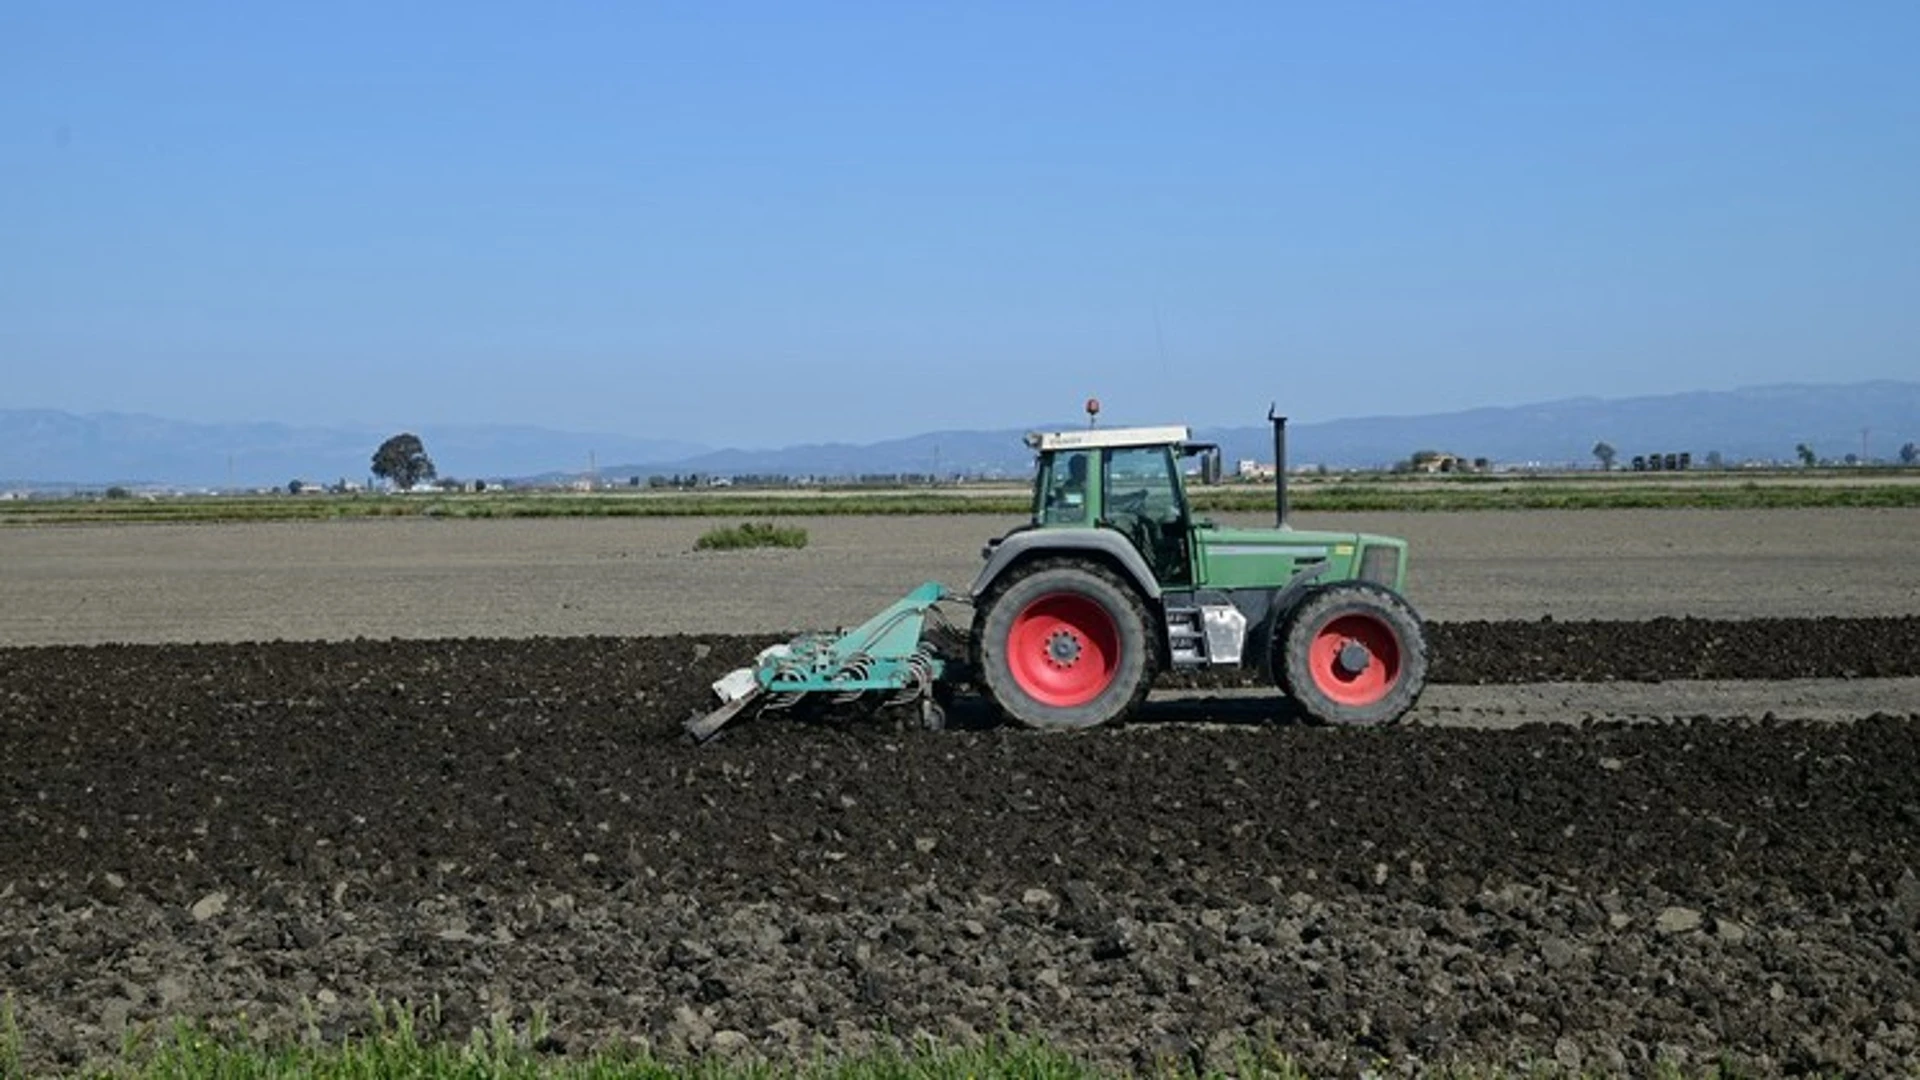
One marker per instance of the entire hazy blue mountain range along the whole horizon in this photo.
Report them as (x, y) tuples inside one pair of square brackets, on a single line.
[(1765, 424)]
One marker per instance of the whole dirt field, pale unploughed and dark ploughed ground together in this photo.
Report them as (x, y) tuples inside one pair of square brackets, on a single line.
[(1600, 845)]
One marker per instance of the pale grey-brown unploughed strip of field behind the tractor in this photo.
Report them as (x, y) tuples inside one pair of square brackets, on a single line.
[(454, 579)]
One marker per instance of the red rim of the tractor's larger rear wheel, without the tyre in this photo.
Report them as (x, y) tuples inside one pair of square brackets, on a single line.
[(1063, 650)]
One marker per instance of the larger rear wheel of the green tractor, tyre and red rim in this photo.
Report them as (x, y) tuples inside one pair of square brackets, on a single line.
[(1063, 645)]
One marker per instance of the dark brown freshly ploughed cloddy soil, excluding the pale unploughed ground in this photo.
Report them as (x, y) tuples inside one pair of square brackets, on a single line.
[(289, 831)]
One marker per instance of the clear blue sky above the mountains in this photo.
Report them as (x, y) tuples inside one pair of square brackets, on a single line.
[(765, 224)]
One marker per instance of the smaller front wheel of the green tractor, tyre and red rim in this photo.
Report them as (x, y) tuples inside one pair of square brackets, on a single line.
[(1353, 654)]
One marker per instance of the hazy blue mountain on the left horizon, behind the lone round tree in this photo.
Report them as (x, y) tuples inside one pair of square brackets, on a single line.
[(41, 447)]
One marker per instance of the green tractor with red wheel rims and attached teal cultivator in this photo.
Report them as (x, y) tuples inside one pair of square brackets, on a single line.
[(1115, 581)]
